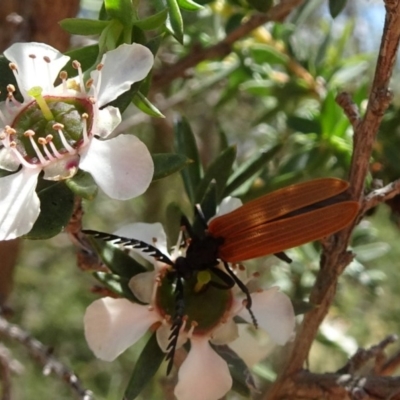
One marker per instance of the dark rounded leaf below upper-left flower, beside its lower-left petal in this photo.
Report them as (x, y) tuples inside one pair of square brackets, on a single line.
[(56, 207)]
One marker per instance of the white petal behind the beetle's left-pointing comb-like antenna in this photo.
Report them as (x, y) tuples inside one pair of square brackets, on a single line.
[(149, 233)]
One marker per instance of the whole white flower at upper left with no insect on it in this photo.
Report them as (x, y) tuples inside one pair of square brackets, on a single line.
[(60, 129)]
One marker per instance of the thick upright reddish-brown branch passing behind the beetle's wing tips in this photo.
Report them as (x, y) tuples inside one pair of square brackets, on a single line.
[(335, 256)]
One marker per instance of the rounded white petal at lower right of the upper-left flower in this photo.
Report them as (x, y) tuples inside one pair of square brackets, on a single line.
[(121, 166)]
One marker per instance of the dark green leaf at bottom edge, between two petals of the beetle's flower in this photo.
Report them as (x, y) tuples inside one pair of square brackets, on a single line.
[(146, 366)]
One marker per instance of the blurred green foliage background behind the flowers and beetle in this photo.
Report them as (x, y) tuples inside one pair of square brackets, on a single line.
[(261, 118)]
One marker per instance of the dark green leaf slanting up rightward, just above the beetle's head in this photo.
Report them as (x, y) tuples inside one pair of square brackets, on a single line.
[(219, 170)]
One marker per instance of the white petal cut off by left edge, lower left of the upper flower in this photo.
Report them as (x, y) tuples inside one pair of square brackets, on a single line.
[(20, 204)]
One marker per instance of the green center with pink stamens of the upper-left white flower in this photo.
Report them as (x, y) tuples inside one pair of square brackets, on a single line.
[(49, 128)]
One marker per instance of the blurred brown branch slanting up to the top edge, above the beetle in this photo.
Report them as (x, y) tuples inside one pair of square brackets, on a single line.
[(168, 74)]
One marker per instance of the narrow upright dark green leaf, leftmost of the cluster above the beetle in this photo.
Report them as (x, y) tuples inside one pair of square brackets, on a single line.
[(185, 143)]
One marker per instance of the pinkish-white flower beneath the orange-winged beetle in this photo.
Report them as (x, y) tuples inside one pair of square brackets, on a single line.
[(112, 325)]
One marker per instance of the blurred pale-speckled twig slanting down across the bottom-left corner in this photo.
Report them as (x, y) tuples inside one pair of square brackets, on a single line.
[(43, 355)]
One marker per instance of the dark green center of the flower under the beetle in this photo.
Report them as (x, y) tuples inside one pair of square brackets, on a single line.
[(206, 307)]
